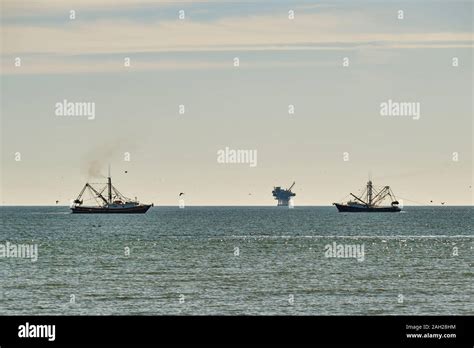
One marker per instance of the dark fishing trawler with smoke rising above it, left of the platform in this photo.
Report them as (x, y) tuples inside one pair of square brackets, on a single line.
[(114, 203)]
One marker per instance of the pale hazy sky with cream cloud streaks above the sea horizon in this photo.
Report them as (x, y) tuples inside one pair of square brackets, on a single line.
[(335, 139)]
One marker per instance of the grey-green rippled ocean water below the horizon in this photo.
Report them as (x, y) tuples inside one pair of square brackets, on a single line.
[(239, 261)]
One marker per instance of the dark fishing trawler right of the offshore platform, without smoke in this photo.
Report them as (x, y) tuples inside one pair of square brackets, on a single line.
[(370, 201)]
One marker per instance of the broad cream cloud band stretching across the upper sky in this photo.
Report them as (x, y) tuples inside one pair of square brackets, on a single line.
[(106, 36)]
